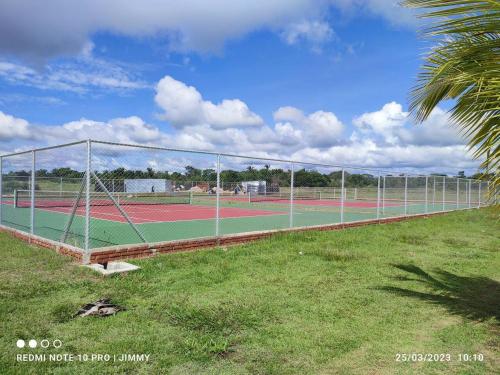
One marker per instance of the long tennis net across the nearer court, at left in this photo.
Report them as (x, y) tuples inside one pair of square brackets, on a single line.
[(46, 199)]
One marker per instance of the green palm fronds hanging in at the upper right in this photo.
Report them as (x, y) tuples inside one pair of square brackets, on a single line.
[(463, 66)]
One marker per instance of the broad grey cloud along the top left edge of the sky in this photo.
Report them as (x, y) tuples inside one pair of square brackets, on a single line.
[(34, 29)]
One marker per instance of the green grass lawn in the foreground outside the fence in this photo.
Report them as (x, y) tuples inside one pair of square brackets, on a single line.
[(318, 302)]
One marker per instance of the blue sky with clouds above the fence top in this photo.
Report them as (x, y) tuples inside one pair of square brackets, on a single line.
[(323, 81)]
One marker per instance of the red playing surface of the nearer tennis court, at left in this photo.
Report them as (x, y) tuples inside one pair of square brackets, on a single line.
[(140, 214)]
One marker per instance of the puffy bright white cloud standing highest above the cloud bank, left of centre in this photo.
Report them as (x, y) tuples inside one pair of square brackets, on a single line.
[(184, 106)]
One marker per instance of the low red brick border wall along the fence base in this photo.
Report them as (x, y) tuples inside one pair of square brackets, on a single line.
[(114, 253)]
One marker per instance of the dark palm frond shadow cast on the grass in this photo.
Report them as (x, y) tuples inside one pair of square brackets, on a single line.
[(476, 298)]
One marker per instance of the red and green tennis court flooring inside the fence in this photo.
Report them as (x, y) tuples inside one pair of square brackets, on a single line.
[(163, 218)]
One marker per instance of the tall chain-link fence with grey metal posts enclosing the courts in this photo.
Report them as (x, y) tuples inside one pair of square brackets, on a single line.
[(94, 194)]
